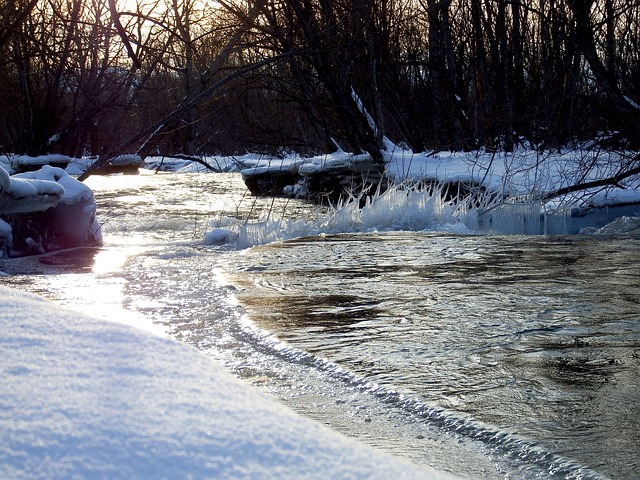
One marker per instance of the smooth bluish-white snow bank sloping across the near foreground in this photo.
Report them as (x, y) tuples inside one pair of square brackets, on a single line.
[(85, 398)]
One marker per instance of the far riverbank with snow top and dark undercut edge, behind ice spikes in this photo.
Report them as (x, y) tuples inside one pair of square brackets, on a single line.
[(589, 186)]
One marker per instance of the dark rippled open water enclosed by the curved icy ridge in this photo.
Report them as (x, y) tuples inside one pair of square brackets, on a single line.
[(539, 336)]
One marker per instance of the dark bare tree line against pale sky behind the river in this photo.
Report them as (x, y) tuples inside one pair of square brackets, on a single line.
[(101, 77)]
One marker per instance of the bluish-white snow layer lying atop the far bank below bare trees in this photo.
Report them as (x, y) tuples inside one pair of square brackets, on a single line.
[(523, 172)]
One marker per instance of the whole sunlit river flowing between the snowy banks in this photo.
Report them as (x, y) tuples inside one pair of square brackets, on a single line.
[(485, 356)]
